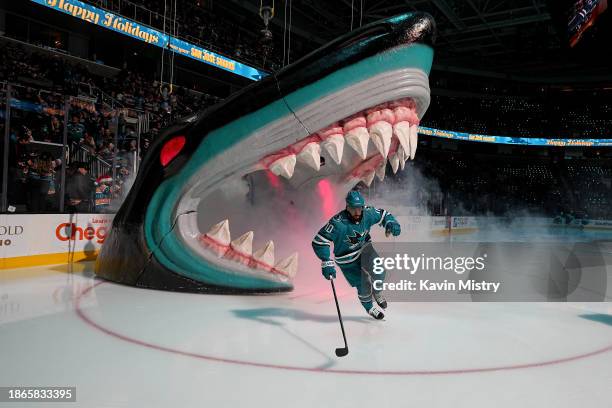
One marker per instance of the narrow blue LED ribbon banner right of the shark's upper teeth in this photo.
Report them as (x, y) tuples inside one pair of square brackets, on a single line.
[(530, 141)]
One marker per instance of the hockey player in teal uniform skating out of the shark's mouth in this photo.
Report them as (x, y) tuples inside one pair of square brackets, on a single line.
[(349, 231)]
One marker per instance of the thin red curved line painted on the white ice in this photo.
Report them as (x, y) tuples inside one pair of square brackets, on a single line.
[(142, 343)]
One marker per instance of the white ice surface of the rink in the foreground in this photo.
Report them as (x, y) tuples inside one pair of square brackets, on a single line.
[(126, 347)]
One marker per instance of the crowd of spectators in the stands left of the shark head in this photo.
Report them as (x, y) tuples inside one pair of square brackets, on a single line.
[(92, 125)]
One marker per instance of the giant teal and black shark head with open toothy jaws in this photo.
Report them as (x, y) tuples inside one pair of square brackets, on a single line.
[(337, 116)]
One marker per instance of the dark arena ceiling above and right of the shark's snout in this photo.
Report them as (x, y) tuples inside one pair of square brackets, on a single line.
[(506, 38)]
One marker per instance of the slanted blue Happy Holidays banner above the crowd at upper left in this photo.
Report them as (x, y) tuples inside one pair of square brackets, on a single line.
[(149, 35)]
